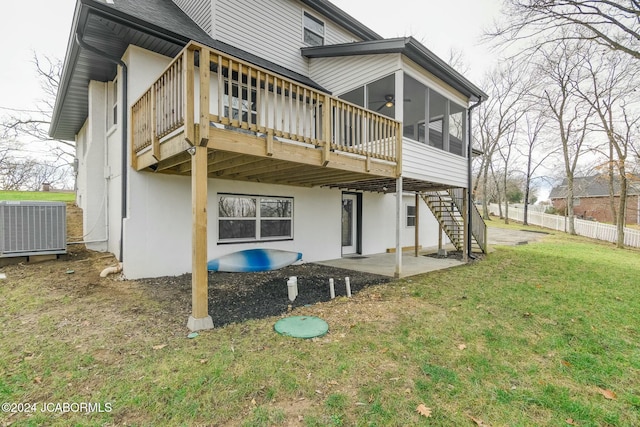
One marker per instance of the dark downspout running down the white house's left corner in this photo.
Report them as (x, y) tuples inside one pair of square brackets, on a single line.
[(79, 40)]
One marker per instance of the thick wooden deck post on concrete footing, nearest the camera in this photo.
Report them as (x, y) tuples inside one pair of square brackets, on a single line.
[(199, 318)]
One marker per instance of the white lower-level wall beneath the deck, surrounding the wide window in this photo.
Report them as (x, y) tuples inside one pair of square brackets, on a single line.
[(158, 229)]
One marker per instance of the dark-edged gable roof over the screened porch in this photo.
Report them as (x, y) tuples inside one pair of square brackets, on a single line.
[(409, 47)]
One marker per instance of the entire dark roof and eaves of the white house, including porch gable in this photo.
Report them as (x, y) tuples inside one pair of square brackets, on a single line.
[(161, 26)]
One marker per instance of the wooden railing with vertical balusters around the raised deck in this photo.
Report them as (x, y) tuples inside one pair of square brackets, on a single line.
[(238, 95)]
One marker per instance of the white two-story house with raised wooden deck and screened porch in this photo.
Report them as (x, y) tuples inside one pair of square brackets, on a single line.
[(304, 131)]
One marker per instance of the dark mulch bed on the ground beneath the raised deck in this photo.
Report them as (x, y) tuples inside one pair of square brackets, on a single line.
[(236, 297)]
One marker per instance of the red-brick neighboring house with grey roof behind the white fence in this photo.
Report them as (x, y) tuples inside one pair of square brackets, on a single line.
[(592, 199)]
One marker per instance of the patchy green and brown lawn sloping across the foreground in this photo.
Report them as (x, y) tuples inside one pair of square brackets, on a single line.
[(544, 334)]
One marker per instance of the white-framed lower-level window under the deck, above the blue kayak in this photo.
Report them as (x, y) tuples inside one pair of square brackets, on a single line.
[(254, 218)]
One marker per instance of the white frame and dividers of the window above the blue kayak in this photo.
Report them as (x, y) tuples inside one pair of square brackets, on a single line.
[(257, 219)]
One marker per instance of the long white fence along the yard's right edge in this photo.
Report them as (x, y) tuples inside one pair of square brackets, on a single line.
[(592, 229)]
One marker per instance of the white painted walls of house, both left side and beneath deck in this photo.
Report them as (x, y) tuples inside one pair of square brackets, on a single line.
[(157, 227)]
